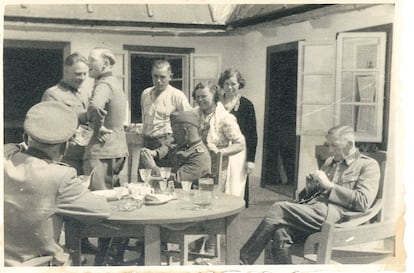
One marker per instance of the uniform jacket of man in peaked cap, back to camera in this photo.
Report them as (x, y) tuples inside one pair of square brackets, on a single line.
[(37, 192)]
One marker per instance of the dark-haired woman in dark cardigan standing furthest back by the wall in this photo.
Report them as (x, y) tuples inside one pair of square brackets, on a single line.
[(231, 81)]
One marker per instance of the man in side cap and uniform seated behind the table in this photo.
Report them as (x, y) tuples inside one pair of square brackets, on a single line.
[(188, 156)]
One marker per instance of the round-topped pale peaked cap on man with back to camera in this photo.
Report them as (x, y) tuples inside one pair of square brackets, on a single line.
[(50, 122)]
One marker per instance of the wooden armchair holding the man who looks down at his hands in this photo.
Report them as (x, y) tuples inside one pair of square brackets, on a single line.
[(358, 229)]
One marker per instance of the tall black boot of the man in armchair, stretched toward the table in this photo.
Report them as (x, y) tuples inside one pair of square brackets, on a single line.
[(256, 243)]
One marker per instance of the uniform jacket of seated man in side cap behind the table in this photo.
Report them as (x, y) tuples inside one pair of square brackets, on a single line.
[(189, 163)]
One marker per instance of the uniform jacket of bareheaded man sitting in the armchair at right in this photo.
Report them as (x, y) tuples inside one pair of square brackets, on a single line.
[(357, 181)]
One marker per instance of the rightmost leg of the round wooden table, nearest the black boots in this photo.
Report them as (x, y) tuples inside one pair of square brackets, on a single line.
[(233, 240)]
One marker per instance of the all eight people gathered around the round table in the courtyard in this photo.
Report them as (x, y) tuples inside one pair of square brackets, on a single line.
[(41, 182)]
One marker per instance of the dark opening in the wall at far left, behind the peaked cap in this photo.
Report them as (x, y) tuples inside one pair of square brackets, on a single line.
[(28, 72)]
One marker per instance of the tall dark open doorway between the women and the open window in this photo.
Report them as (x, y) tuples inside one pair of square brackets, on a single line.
[(280, 155)]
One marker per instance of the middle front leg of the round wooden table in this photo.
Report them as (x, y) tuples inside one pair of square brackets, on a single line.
[(152, 245)]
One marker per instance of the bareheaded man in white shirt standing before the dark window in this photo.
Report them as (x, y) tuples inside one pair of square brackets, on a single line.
[(157, 104)]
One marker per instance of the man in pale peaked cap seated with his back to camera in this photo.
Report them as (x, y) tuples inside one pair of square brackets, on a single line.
[(39, 190)]
